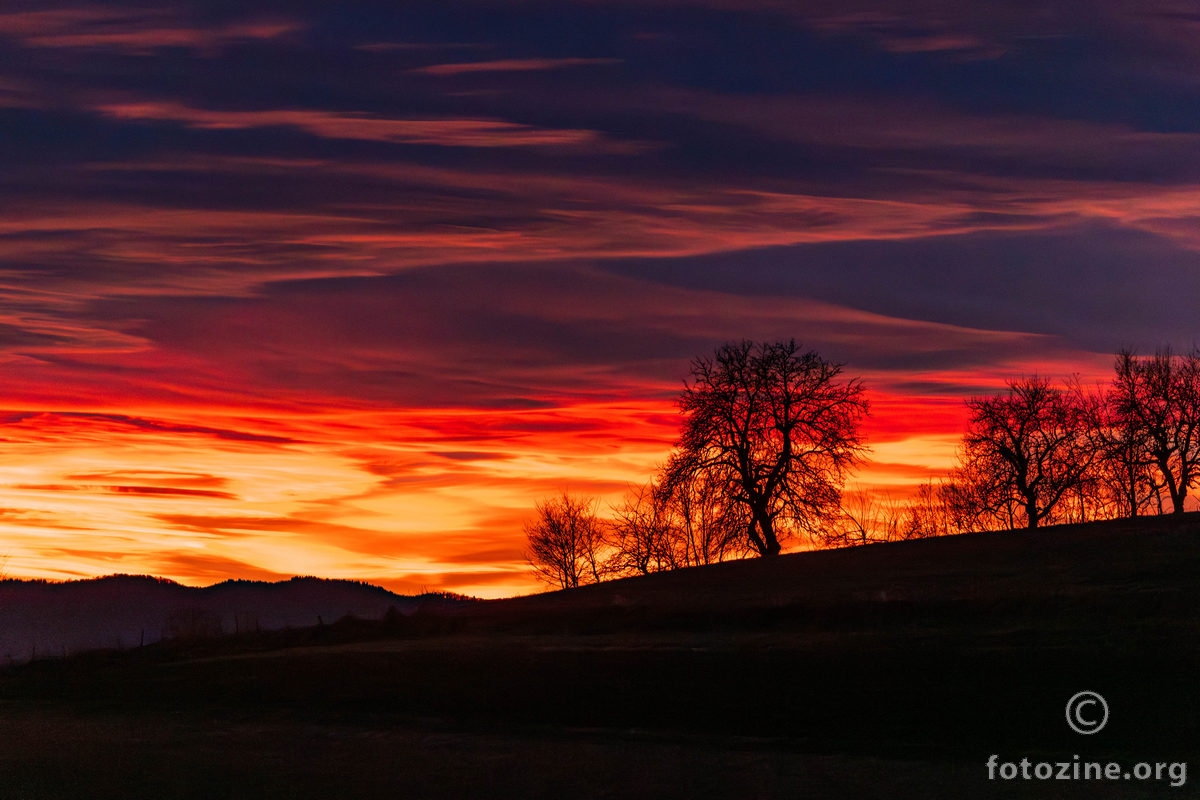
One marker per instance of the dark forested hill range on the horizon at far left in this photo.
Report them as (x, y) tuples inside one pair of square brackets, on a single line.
[(44, 619)]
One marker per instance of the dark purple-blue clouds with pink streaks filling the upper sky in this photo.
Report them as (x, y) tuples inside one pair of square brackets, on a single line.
[(195, 182)]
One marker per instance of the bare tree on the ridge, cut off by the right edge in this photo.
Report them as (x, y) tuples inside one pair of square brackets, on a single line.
[(1157, 400)]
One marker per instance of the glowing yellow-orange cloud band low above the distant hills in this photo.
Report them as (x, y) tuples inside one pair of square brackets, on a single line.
[(393, 507)]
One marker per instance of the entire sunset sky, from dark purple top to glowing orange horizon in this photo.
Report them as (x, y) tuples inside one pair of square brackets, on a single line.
[(344, 290)]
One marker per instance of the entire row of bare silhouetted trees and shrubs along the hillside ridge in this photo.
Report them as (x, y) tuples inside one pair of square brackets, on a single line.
[(770, 435)]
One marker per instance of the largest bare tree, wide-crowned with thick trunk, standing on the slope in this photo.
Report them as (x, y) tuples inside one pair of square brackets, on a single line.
[(773, 430)]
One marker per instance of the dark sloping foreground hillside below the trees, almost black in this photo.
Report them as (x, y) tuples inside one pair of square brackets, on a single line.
[(884, 672)]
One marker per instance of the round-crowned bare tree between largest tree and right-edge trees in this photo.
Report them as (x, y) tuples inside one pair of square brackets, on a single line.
[(1024, 452)]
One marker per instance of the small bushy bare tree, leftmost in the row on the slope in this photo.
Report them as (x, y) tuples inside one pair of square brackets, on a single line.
[(567, 543)]
